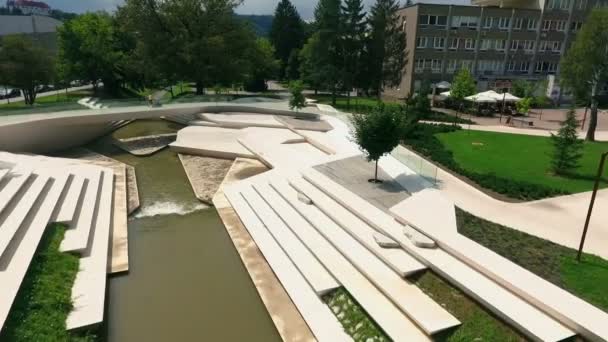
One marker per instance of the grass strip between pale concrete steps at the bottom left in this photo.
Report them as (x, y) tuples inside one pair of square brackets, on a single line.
[(45, 297)]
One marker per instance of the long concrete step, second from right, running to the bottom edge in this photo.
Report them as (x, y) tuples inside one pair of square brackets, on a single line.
[(522, 315)]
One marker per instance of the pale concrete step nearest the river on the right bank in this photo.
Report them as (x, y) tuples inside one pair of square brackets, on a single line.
[(317, 315)]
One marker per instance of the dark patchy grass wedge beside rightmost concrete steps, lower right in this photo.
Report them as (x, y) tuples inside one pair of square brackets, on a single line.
[(552, 262)]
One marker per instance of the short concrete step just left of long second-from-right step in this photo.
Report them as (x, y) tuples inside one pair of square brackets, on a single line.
[(401, 262)]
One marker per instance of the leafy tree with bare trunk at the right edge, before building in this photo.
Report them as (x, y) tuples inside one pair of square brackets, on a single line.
[(584, 69)]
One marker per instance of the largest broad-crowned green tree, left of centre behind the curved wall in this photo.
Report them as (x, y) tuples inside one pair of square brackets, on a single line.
[(201, 41)]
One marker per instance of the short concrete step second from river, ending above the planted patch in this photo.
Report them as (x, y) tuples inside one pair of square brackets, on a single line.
[(313, 271)]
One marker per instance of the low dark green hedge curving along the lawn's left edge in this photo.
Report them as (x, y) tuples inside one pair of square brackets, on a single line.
[(423, 140)]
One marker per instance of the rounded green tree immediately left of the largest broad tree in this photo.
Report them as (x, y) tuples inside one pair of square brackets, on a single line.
[(90, 50)]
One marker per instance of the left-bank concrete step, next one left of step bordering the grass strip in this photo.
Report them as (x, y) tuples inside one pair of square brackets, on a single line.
[(26, 205)]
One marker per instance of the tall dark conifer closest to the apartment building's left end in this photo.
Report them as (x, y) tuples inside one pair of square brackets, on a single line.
[(387, 45)]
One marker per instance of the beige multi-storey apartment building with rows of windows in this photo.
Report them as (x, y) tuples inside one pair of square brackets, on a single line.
[(499, 41)]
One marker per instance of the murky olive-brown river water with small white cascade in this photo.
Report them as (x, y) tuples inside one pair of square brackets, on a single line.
[(186, 280)]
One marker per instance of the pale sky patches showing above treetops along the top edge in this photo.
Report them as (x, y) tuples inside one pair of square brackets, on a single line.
[(305, 7)]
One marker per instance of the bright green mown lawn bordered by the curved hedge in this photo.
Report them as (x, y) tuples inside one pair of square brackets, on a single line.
[(520, 158)]
